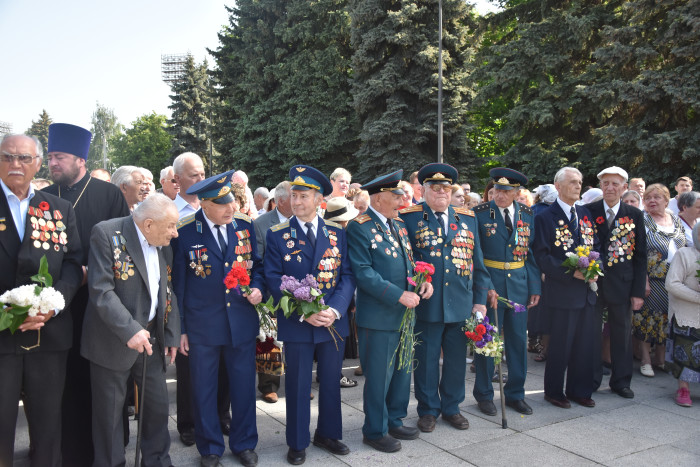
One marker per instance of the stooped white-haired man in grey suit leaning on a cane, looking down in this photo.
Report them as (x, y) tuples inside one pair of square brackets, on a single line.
[(131, 300)]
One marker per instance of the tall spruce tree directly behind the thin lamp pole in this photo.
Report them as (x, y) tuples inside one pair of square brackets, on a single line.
[(395, 69)]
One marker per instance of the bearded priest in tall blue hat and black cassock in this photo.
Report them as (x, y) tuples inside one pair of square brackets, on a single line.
[(93, 201)]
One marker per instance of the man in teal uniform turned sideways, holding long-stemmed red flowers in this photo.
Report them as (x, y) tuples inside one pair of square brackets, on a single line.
[(382, 260)]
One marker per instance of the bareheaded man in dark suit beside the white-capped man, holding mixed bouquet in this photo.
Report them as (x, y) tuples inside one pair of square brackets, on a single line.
[(559, 229)]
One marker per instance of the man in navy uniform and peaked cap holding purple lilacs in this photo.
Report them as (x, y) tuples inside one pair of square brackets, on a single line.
[(306, 244)]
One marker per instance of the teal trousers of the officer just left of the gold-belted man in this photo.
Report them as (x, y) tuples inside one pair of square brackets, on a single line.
[(438, 394)]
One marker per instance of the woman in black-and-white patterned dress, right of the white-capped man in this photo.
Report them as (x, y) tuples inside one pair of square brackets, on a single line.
[(665, 235)]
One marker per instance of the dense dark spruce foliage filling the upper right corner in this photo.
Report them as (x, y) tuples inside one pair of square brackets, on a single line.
[(591, 84)]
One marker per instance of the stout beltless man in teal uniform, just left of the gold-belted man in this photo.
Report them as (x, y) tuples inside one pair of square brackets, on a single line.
[(447, 238)]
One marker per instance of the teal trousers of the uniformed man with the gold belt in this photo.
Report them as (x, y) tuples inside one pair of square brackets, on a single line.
[(514, 328)]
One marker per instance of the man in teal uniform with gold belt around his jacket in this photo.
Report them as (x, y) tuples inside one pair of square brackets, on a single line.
[(506, 228)]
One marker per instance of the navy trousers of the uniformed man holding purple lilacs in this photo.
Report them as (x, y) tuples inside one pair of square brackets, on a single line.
[(299, 360)]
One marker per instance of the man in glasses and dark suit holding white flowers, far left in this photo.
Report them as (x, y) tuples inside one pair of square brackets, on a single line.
[(34, 224)]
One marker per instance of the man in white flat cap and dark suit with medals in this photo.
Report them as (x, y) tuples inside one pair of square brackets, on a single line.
[(620, 229)]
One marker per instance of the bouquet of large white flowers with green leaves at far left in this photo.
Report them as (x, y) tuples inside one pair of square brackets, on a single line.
[(30, 300)]
